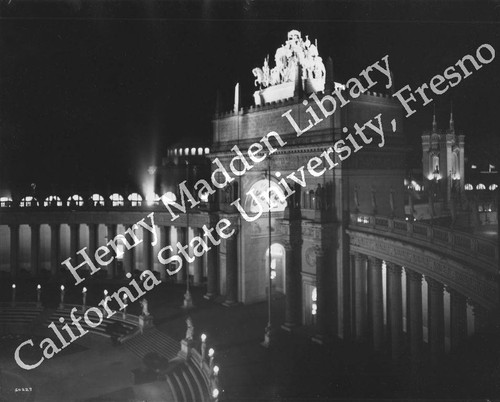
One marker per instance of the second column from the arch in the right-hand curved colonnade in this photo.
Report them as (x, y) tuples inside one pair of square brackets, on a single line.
[(375, 301)]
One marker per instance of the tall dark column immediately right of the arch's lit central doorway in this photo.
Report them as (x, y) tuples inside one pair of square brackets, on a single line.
[(292, 306)]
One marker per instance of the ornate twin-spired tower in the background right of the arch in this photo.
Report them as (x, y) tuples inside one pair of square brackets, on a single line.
[(443, 161)]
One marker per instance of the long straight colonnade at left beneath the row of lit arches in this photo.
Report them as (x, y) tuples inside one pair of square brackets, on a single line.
[(131, 259)]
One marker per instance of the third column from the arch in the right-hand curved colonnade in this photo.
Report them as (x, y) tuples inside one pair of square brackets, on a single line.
[(395, 309)]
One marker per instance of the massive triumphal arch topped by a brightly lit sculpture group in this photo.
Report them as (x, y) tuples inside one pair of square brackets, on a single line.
[(305, 234)]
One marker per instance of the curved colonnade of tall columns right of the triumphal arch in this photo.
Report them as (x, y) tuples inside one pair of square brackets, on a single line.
[(399, 309)]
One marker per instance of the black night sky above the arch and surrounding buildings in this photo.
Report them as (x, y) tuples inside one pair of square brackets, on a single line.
[(92, 92)]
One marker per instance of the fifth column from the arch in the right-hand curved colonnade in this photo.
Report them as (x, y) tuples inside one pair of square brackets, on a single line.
[(436, 319)]
